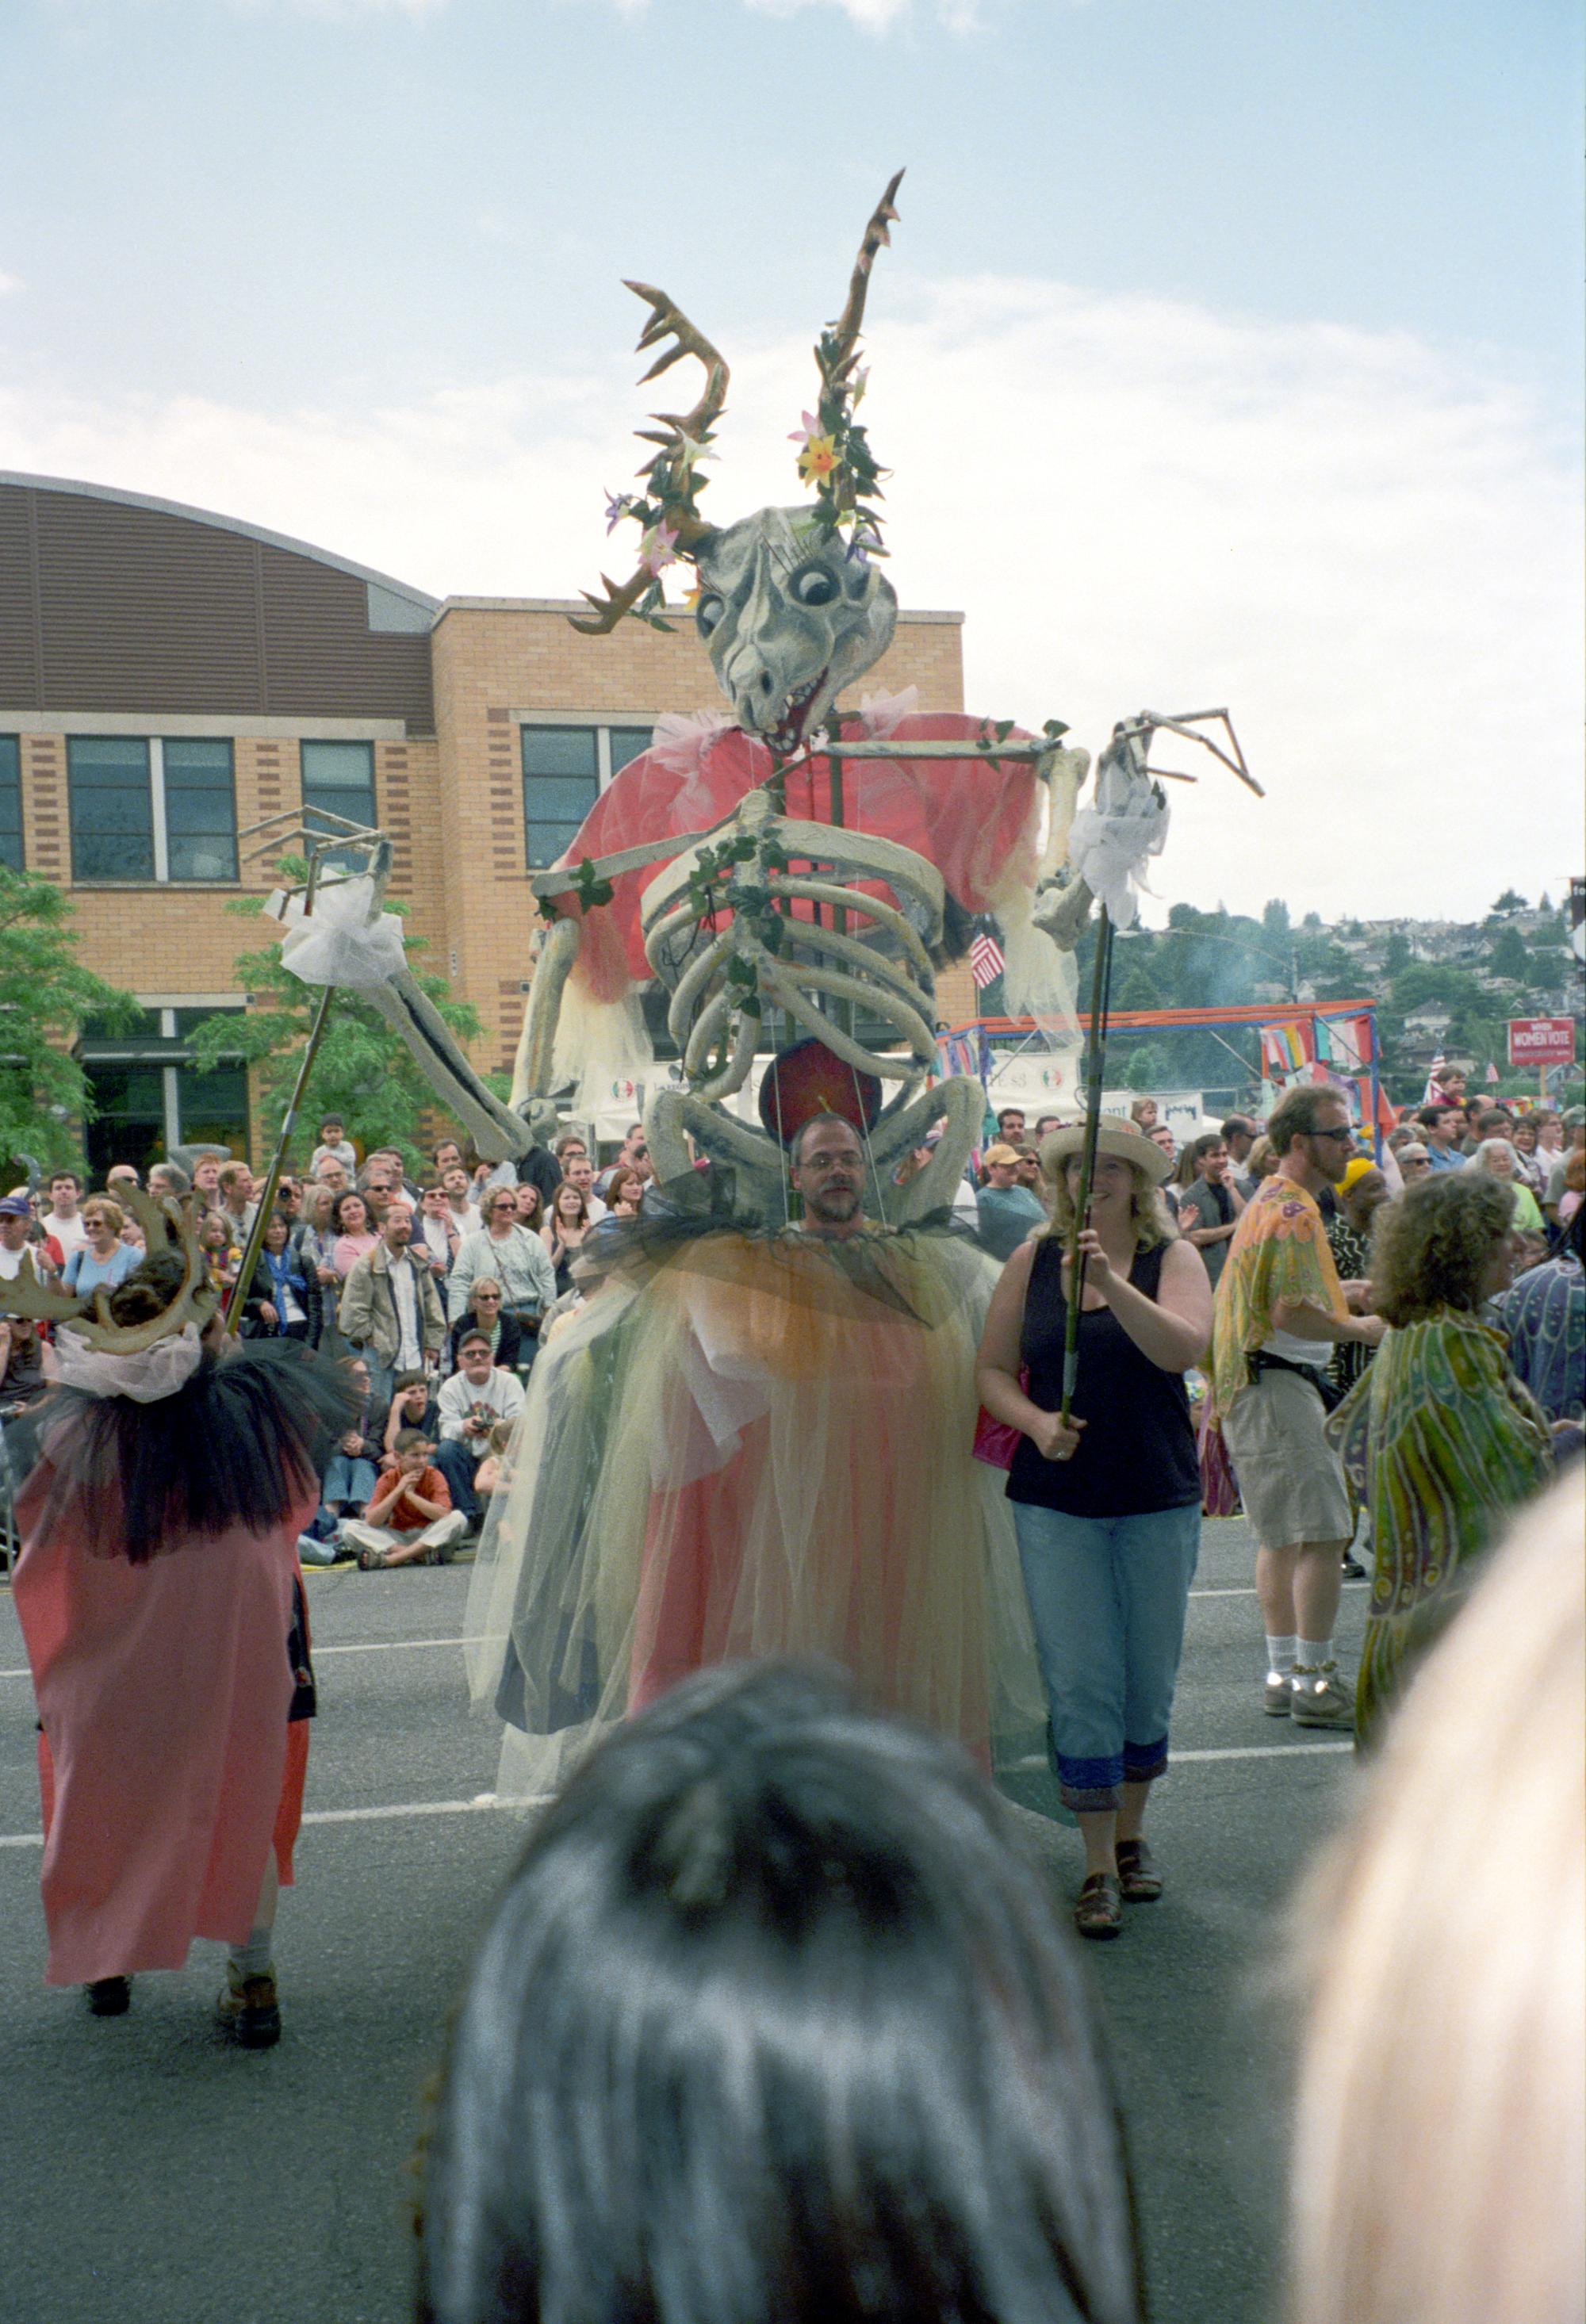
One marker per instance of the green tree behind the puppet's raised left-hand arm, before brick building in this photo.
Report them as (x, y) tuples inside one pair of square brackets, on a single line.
[(364, 1073)]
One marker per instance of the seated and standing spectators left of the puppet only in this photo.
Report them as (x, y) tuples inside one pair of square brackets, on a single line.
[(434, 1286)]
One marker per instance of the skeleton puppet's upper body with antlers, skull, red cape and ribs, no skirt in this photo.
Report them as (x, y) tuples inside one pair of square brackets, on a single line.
[(790, 859)]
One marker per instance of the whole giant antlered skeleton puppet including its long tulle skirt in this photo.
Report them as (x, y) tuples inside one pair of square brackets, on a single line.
[(752, 1440)]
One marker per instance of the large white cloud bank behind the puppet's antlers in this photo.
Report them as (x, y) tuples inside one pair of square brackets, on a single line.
[(1364, 547)]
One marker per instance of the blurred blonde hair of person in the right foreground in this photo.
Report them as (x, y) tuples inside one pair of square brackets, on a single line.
[(1441, 2149)]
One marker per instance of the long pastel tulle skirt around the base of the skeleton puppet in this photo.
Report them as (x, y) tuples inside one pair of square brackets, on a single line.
[(757, 1444)]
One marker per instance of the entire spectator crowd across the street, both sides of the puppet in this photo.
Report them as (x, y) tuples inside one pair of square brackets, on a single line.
[(399, 1268)]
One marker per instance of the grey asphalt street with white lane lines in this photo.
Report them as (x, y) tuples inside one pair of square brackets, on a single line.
[(157, 2176)]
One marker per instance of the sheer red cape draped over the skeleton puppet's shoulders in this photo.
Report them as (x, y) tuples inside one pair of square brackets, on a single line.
[(973, 819)]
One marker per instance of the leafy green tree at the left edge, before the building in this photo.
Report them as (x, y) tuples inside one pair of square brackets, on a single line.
[(45, 994)]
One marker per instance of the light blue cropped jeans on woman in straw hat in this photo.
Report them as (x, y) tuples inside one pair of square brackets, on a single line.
[(1108, 1600)]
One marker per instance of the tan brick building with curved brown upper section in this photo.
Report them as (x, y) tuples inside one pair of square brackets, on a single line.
[(152, 622)]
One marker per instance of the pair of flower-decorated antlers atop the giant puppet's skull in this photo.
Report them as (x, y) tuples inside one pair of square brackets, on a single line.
[(836, 454)]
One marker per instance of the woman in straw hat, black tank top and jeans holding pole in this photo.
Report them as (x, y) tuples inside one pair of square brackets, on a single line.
[(1106, 1505)]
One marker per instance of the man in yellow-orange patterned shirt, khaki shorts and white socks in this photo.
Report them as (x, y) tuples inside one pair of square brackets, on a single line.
[(1280, 1307)]
